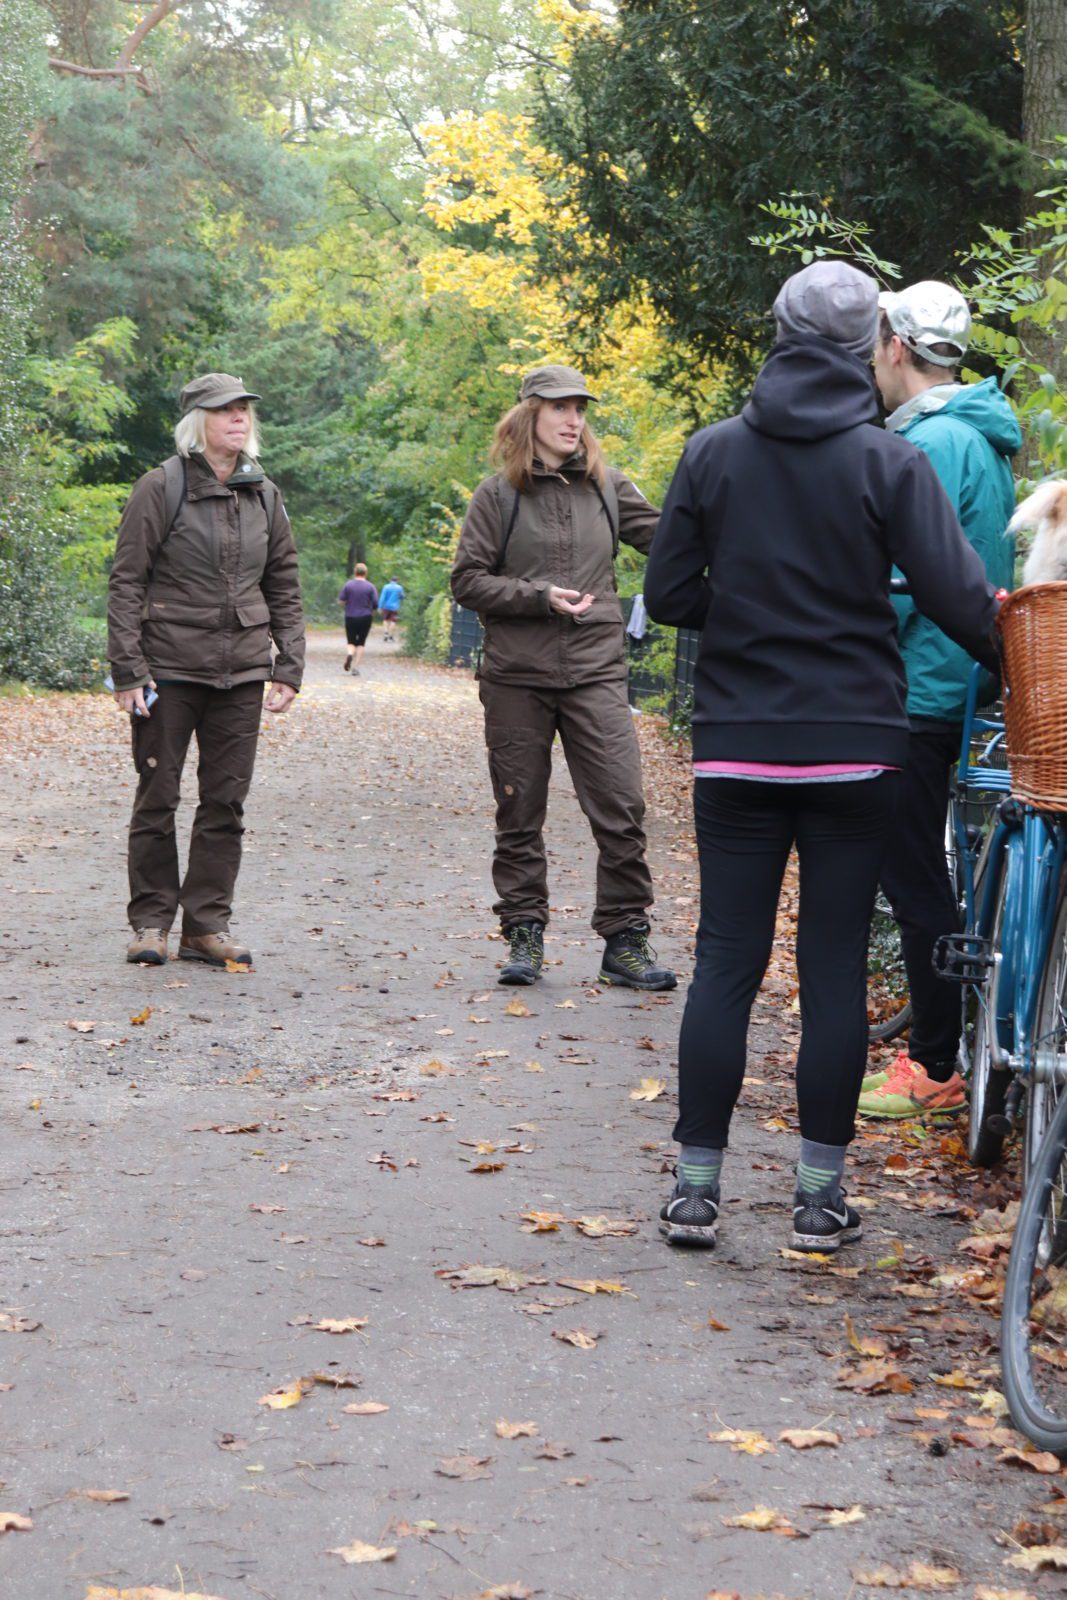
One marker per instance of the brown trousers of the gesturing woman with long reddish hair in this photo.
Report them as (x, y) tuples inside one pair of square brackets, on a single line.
[(596, 727)]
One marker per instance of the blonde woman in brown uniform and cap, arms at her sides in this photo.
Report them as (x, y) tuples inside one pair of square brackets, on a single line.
[(206, 609)]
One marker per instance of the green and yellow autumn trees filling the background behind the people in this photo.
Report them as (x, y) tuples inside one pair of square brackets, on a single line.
[(382, 212)]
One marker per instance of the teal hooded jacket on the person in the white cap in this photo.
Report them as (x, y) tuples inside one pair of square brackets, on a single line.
[(970, 442)]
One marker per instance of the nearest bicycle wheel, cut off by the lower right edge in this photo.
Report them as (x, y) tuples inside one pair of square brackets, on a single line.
[(1034, 1322)]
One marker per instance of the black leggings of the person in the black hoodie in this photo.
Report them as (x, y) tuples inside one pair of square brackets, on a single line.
[(745, 833)]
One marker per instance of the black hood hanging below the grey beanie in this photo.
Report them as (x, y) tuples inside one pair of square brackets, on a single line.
[(810, 388)]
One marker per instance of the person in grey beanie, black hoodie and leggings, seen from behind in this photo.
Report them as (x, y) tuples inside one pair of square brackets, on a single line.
[(777, 542)]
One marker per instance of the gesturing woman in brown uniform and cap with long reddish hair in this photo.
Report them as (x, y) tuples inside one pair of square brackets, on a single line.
[(537, 559)]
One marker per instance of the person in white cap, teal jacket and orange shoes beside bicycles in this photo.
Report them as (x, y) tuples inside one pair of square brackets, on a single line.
[(970, 434)]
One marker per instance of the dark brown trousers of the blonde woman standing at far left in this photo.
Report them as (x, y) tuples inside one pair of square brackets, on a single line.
[(226, 724)]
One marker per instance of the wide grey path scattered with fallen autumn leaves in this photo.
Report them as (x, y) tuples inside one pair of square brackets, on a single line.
[(343, 1278)]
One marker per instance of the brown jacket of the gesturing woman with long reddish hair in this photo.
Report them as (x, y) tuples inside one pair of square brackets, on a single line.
[(561, 538)]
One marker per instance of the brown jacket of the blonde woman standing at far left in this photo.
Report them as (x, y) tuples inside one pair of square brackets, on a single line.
[(206, 601)]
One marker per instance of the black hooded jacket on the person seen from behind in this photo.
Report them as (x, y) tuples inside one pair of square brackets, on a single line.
[(777, 542)]
